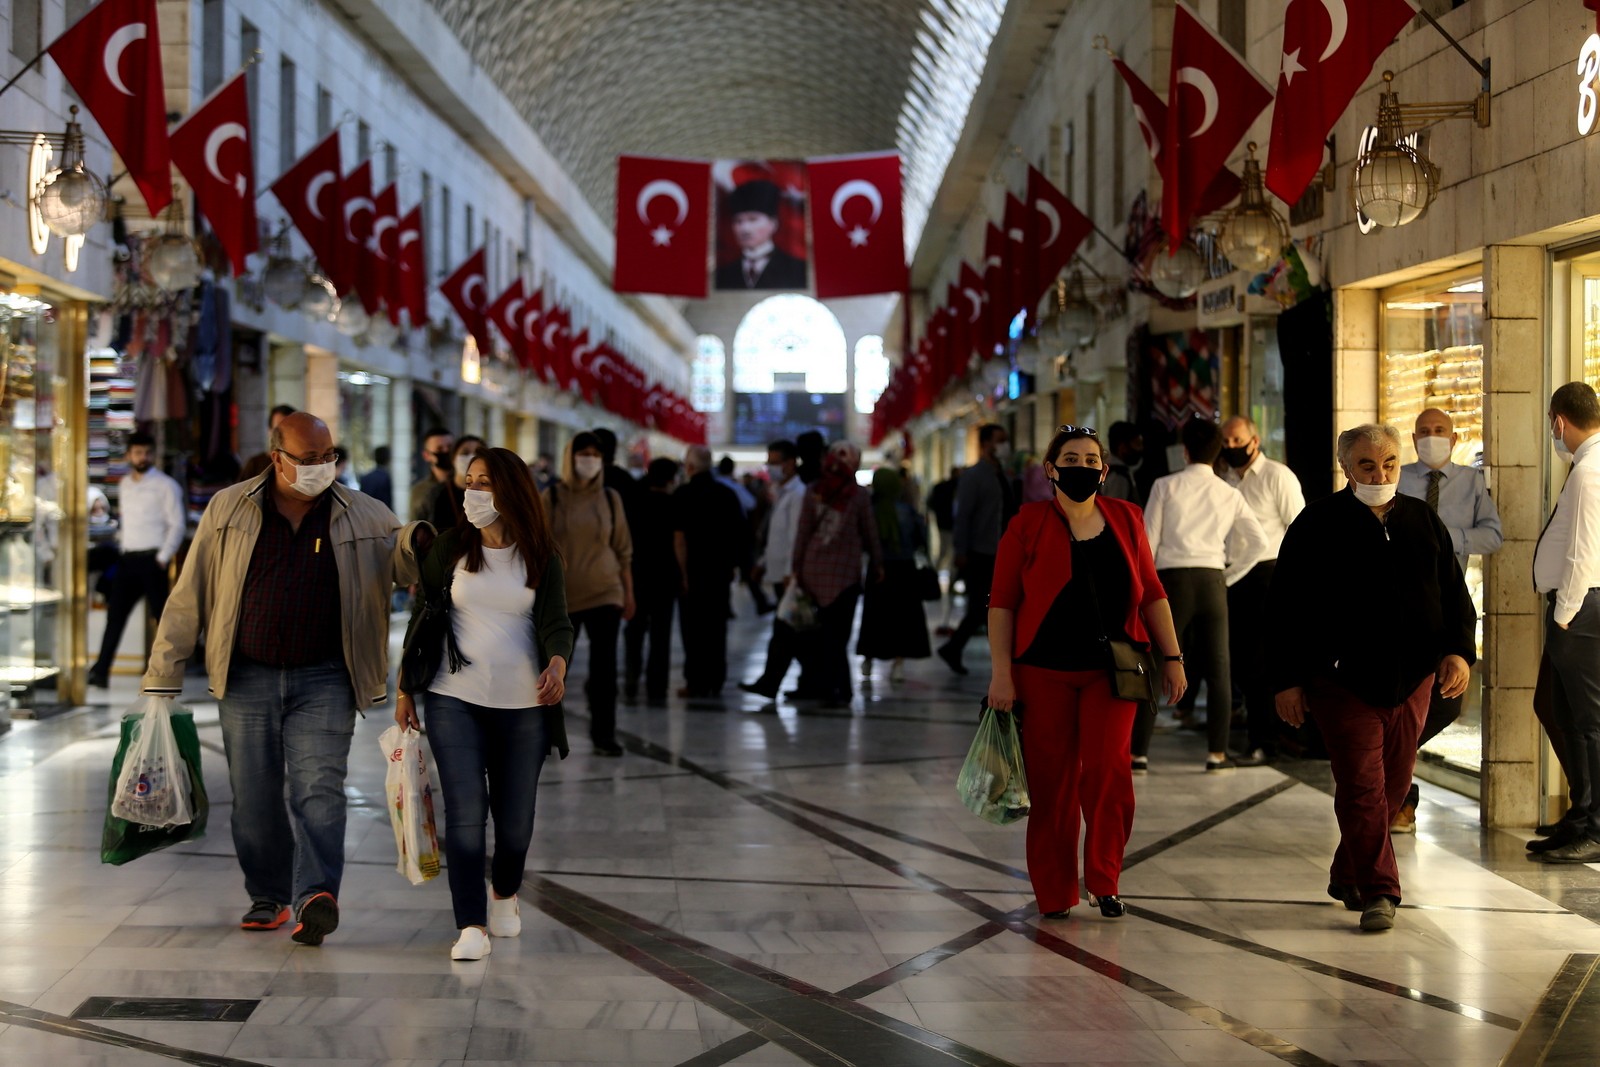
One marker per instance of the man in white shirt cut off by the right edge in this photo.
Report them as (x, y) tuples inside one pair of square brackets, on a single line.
[(1567, 572)]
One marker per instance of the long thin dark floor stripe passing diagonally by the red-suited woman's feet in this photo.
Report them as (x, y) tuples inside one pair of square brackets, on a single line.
[(1263, 1041)]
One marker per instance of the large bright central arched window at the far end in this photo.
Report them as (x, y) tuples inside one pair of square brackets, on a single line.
[(791, 337)]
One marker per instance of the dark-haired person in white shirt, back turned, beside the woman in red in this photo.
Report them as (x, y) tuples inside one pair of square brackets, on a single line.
[(1206, 540)]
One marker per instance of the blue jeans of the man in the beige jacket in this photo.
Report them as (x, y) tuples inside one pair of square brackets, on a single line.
[(289, 727)]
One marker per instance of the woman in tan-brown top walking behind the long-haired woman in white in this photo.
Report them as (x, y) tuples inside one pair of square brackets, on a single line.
[(591, 532)]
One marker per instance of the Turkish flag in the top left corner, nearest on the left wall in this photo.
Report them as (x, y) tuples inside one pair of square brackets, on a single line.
[(113, 57)]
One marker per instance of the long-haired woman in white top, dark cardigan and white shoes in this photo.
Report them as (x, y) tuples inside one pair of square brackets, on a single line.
[(489, 644)]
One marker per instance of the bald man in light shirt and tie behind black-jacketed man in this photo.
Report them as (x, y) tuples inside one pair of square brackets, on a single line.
[(1462, 498)]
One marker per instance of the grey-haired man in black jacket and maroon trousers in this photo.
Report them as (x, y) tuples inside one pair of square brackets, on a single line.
[(1369, 607)]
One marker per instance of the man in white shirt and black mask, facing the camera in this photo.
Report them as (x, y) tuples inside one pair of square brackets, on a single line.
[(1274, 498)]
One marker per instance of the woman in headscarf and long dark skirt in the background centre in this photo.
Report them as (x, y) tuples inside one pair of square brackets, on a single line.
[(894, 625)]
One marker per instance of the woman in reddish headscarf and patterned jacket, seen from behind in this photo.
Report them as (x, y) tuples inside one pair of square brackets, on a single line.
[(836, 530)]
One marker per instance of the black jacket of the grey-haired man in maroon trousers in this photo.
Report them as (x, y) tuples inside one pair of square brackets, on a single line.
[(1366, 604)]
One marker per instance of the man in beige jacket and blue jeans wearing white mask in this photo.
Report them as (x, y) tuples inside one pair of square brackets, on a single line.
[(290, 575)]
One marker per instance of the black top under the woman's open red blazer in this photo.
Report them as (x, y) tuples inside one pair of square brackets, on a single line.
[(1070, 639)]
